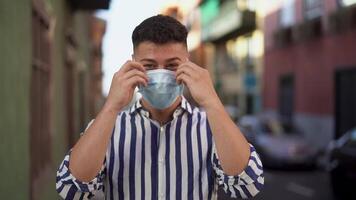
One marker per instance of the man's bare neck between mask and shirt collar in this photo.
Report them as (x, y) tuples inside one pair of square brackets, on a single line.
[(161, 116)]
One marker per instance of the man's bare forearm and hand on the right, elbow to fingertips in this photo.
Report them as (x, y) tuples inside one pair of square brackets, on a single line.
[(232, 147)]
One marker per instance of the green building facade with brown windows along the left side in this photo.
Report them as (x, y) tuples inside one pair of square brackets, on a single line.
[(50, 62)]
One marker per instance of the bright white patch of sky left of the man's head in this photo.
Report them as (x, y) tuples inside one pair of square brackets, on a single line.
[(122, 17)]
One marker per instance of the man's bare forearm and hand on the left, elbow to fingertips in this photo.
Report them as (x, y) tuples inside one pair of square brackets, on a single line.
[(88, 154)]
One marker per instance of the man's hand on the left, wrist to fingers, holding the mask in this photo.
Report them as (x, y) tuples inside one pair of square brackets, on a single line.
[(123, 85)]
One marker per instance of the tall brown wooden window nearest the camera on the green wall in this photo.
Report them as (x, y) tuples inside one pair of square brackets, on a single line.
[(40, 143)]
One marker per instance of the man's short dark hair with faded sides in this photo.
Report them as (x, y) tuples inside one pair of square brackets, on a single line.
[(160, 29)]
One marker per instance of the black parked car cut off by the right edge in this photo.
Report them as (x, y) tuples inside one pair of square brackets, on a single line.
[(342, 165)]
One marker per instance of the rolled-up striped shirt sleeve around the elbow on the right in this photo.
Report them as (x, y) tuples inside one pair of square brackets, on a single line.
[(245, 185)]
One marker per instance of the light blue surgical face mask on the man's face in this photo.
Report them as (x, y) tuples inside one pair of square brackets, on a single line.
[(162, 89)]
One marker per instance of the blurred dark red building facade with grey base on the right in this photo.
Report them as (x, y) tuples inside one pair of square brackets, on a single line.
[(310, 66)]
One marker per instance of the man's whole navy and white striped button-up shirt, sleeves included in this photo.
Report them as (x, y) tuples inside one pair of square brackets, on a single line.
[(175, 161)]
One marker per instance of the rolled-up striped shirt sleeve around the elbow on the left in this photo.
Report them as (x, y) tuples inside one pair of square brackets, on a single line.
[(68, 187)]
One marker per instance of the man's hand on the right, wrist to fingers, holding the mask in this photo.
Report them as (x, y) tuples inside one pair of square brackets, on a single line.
[(199, 83)]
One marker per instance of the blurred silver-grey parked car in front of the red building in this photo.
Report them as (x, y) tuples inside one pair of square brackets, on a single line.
[(277, 147)]
